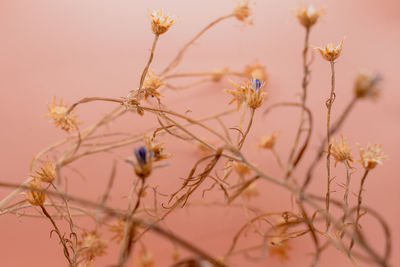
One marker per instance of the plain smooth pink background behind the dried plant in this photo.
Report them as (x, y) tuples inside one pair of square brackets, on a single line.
[(72, 49)]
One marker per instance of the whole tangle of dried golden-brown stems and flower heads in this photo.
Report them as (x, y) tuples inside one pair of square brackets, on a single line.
[(239, 180)]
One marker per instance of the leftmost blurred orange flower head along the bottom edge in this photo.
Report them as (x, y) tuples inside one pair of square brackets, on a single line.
[(91, 246)]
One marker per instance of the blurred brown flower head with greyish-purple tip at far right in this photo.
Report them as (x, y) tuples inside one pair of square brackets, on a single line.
[(366, 85)]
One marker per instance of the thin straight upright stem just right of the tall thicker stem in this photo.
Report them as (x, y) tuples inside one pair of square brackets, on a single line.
[(329, 103)]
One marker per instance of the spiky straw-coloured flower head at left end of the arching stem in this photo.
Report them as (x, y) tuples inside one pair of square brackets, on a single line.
[(58, 112)]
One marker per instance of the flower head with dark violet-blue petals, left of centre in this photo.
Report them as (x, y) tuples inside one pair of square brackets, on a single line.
[(142, 161)]
